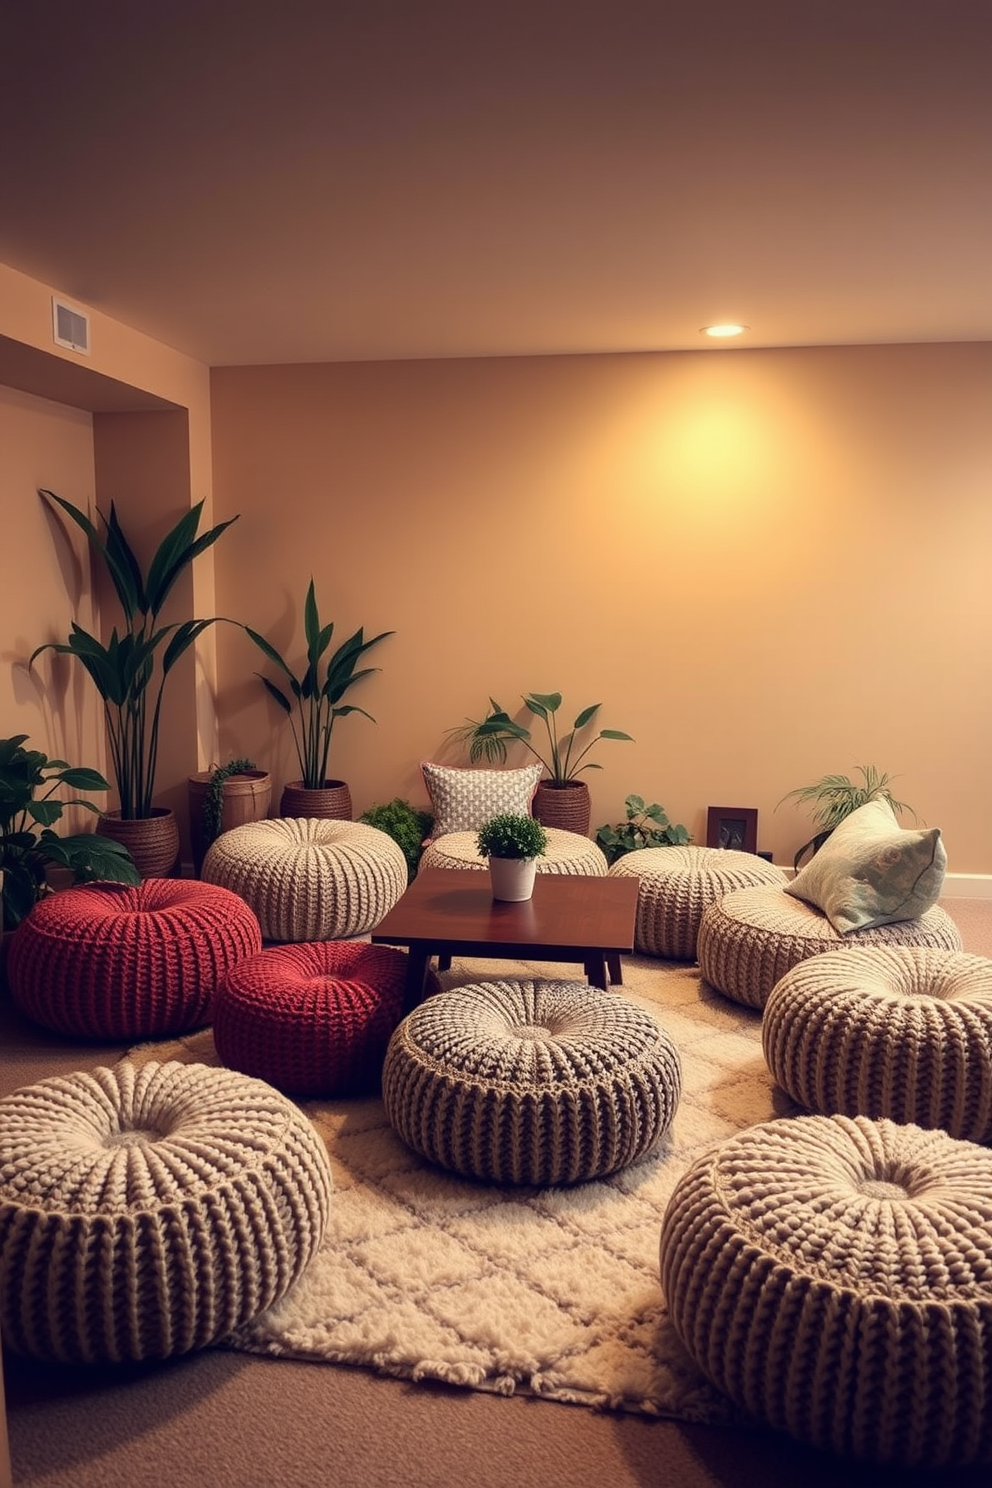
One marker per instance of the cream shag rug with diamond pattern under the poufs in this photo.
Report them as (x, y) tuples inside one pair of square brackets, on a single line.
[(555, 1292)]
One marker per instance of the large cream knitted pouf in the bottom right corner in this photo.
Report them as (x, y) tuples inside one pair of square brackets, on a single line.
[(834, 1277)]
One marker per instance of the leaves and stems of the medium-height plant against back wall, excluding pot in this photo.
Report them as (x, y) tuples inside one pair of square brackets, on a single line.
[(318, 696)]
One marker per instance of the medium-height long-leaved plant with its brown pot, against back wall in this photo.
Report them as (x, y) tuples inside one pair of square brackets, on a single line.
[(316, 709)]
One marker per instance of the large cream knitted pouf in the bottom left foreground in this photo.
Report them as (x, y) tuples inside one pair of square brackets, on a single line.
[(149, 1210)]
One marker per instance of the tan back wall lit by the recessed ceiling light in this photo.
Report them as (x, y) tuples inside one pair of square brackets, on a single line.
[(767, 566)]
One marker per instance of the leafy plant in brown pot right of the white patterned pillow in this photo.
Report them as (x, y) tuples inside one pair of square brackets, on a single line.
[(563, 800)]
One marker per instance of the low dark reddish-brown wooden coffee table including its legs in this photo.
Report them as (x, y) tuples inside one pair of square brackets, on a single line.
[(450, 913)]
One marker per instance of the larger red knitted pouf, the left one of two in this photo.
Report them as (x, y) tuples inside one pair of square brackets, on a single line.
[(112, 962)]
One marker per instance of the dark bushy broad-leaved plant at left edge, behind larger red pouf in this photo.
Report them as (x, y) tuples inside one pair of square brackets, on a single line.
[(29, 847)]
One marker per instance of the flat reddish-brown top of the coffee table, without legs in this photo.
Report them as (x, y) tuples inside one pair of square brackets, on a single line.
[(457, 907)]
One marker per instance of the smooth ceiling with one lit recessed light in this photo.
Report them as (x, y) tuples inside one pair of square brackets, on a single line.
[(312, 181)]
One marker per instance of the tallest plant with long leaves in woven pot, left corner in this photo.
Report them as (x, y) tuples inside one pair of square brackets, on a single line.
[(132, 669)]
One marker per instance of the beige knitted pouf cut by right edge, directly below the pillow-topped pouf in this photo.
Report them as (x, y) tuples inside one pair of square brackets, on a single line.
[(901, 1032)]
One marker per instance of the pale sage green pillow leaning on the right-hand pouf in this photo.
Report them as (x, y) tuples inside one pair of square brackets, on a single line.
[(874, 873)]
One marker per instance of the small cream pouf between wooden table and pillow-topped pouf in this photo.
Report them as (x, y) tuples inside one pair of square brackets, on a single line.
[(677, 885)]
